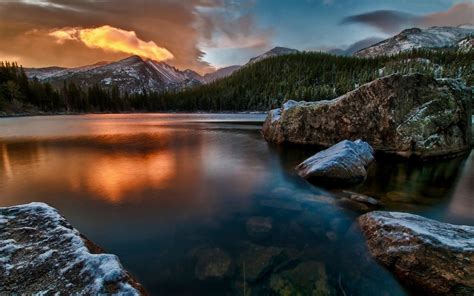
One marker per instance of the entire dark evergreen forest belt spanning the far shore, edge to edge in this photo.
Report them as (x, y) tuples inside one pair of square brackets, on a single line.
[(259, 86)]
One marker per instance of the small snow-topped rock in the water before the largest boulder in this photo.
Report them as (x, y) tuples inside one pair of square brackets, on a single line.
[(343, 163)]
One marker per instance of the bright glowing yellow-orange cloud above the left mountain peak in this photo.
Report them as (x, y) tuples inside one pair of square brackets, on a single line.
[(113, 39)]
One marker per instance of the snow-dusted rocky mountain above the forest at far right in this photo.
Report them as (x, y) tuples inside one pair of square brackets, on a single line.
[(414, 38)]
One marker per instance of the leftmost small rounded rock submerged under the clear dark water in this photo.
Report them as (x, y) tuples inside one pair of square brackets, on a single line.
[(212, 263)]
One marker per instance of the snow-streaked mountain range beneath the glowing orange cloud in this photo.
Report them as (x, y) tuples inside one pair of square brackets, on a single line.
[(134, 74)]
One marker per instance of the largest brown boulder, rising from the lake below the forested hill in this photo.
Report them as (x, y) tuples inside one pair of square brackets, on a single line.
[(407, 115)]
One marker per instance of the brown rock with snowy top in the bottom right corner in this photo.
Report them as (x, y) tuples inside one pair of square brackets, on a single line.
[(426, 254)]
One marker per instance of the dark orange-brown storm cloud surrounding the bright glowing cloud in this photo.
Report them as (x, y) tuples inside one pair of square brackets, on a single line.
[(25, 27)]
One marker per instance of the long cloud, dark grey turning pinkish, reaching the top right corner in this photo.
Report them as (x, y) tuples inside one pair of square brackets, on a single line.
[(393, 21)]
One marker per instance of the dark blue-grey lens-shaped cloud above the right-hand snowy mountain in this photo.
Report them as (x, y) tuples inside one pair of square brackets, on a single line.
[(387, 21)]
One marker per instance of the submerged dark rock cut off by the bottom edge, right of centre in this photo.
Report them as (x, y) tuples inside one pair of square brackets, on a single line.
[(307, 278)]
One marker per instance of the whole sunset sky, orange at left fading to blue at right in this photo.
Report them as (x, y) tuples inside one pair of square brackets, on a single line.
[(205, 34)]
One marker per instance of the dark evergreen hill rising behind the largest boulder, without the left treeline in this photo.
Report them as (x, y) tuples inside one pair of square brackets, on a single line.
[(310, 76)]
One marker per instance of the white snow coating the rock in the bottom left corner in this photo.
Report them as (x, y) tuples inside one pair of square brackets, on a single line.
[(56, 242)]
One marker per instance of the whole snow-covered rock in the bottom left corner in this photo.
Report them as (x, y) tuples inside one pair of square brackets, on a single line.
[(40, 252)]
